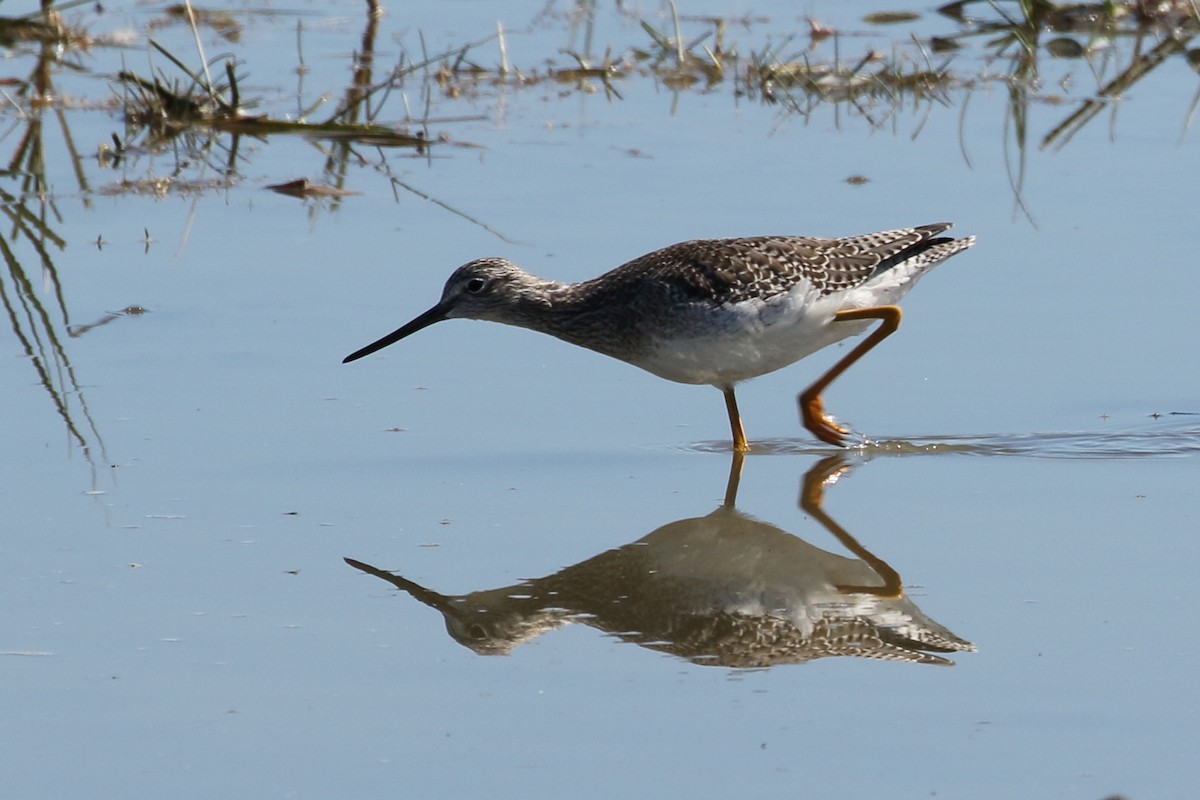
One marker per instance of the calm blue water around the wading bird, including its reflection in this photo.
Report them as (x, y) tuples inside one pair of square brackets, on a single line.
[(183, 485)]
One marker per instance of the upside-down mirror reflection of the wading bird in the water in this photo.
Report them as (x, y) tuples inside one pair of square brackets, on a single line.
[(724, 590)]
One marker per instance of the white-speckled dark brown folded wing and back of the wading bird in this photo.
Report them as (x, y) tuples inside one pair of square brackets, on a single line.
[(733, 270)]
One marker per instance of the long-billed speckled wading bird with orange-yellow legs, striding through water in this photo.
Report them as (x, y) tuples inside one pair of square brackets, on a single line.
[(715, 311)]
